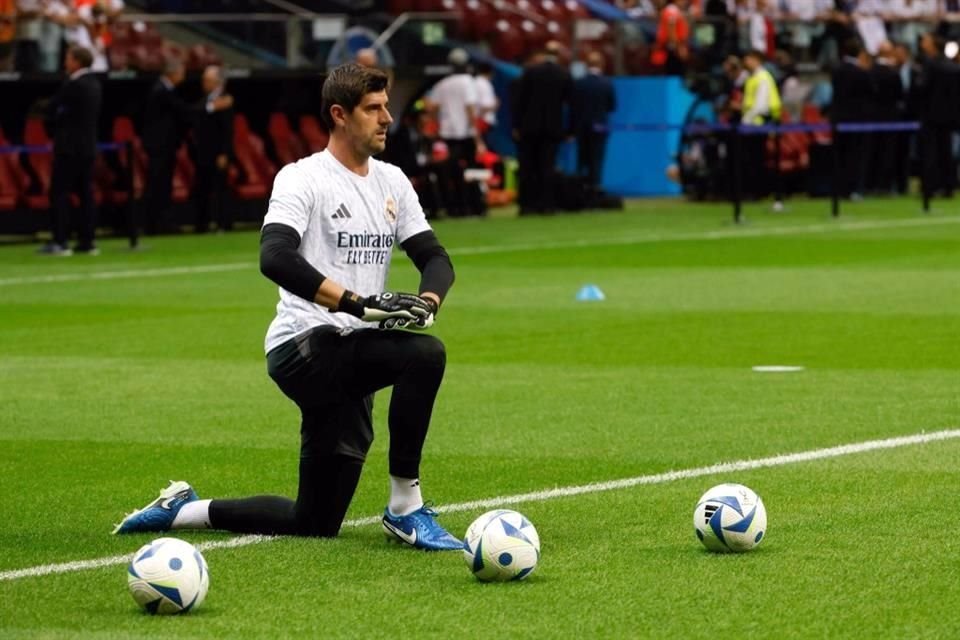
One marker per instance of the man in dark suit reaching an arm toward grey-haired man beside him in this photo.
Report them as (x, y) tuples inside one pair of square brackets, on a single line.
[(166, 119)]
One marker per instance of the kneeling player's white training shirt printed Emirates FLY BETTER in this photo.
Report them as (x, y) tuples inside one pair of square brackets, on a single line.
[(348, 226)]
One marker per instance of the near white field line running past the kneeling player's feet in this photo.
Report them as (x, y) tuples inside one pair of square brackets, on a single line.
[(540, 496)]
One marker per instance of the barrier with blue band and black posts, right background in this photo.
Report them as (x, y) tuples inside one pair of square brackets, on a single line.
[(738, 131)]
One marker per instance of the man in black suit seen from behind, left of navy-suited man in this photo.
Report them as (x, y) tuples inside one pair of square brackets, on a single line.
[(541, 94)]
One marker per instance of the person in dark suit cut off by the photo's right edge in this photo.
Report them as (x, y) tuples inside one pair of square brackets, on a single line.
[(938, 94)]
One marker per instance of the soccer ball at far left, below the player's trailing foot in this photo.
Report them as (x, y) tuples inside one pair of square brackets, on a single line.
[(168, 576)]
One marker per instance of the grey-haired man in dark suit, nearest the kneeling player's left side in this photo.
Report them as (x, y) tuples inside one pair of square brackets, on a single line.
[(213, 135)]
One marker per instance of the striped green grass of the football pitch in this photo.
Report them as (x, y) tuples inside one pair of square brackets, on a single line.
[(109, 388)]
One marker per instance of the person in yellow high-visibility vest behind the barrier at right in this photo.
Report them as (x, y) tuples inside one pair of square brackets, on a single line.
[(761, 106)]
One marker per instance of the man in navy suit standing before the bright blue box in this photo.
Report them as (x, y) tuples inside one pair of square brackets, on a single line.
[(593, 101)]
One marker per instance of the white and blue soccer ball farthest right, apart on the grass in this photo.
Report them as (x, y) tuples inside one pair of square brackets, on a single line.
[(730, 517)]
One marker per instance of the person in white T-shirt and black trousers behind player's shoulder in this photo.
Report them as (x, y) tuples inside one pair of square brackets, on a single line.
[(454, 99)]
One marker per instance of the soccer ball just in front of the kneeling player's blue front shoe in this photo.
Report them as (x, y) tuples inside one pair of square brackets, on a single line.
[(501, 545)]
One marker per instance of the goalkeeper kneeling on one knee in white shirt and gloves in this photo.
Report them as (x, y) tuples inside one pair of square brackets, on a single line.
[(330, 229)]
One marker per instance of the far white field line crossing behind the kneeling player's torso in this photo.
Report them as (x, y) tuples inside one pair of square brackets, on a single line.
[(720, 234)]
